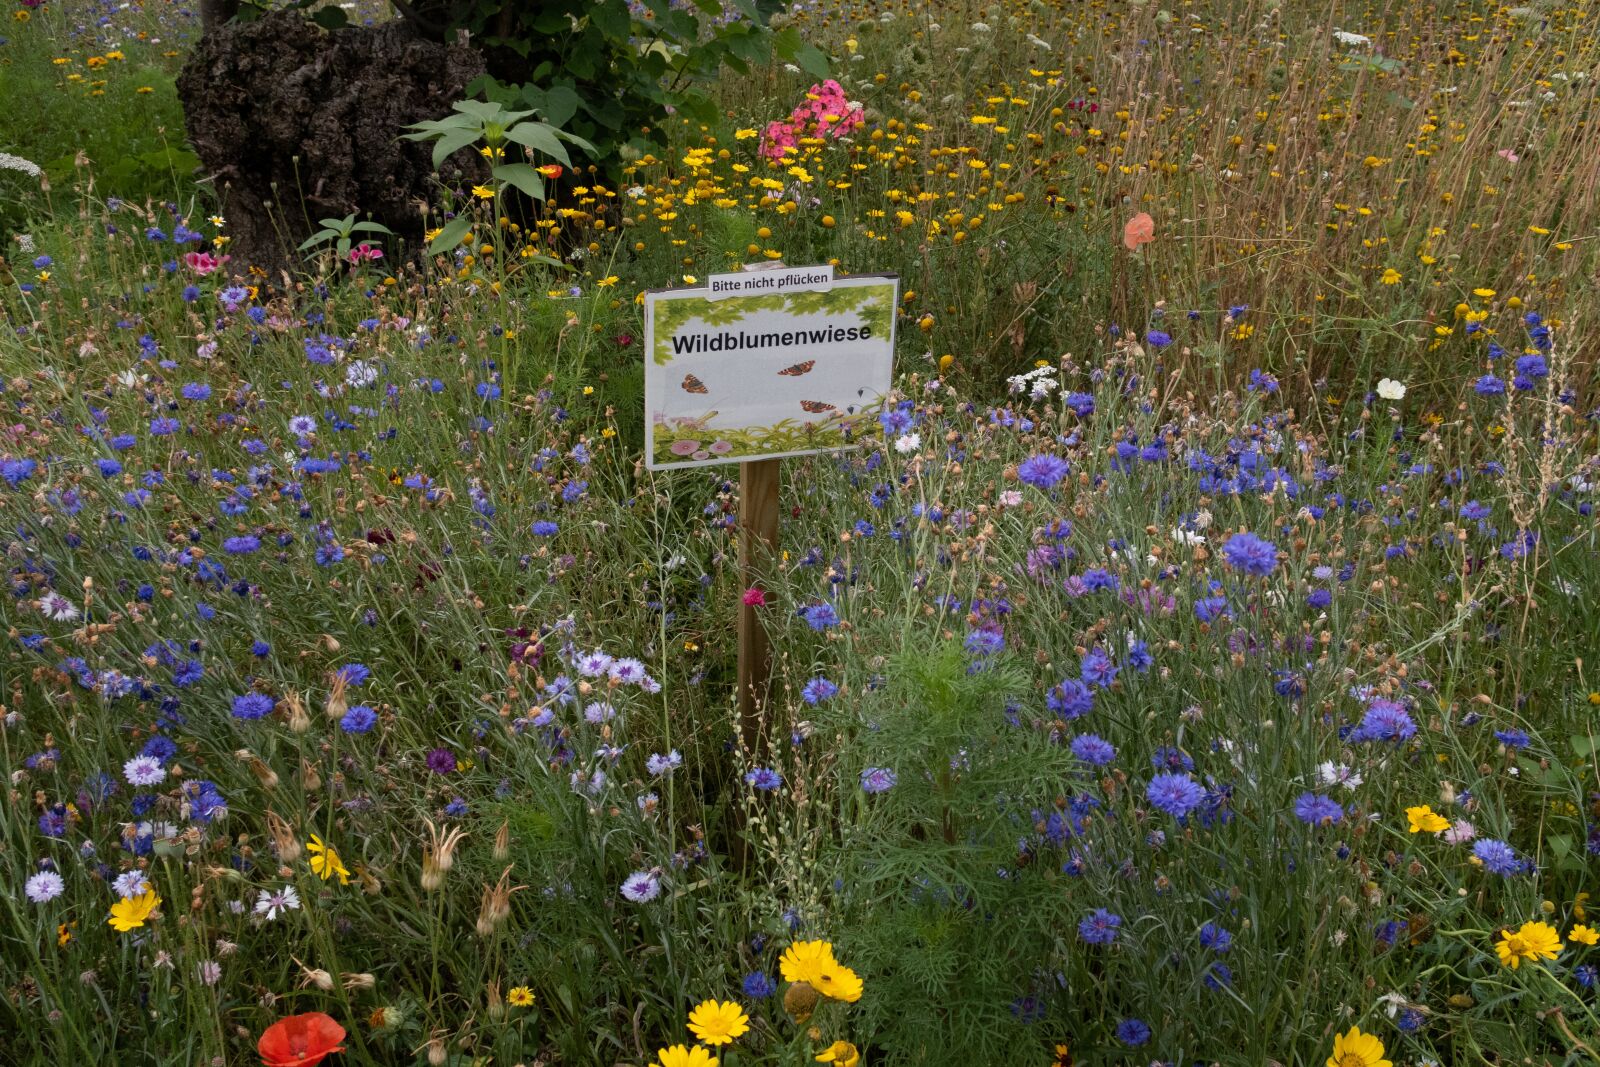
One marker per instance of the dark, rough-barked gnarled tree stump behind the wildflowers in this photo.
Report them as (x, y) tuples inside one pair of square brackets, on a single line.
[(295, 124)]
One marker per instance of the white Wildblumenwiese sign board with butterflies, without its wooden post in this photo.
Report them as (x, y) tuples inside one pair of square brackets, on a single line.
[(766, 364)]
